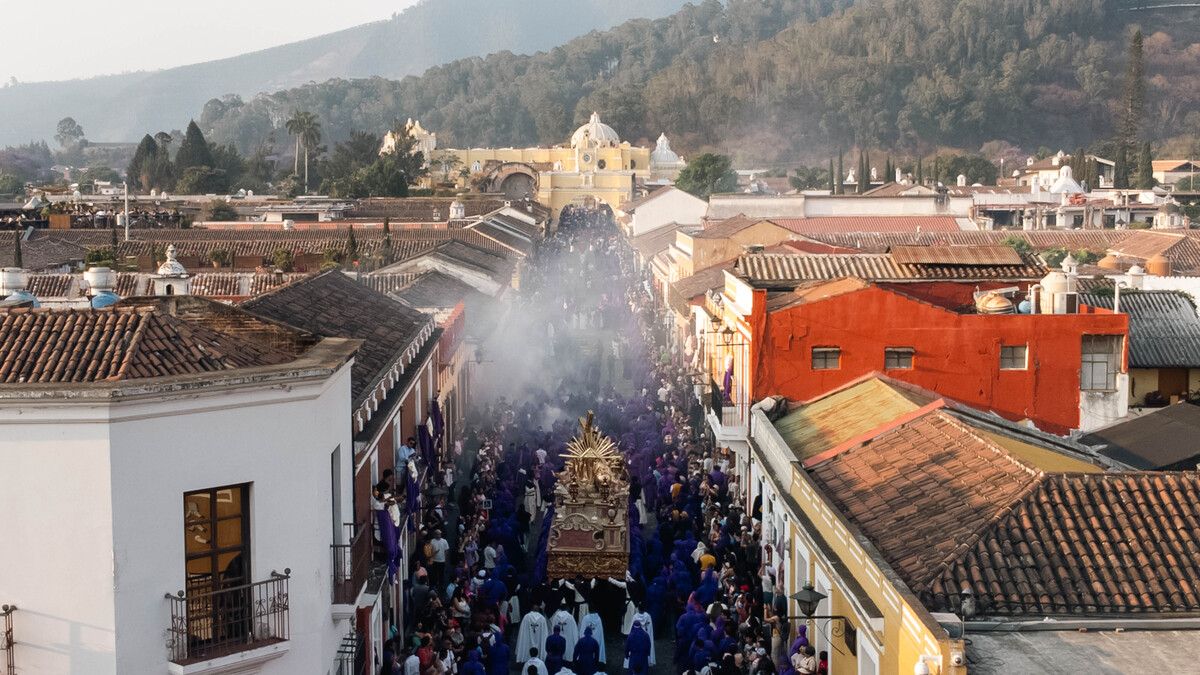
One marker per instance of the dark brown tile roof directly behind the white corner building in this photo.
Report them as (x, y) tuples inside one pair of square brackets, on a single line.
[(334, 306)]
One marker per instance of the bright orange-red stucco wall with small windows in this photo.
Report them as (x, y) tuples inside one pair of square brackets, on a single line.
[(957, 356)]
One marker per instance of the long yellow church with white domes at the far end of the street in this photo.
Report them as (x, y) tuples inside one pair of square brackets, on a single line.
[(597, 166)]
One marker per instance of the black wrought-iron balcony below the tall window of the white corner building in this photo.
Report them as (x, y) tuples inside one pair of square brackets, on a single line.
[(244, 625)]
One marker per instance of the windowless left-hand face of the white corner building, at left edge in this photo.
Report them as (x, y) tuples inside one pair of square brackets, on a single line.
[(57, 546)]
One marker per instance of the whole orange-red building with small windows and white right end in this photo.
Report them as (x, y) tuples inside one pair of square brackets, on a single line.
[(803, 339)]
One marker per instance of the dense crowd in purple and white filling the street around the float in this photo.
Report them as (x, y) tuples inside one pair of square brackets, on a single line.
[(701, 578)]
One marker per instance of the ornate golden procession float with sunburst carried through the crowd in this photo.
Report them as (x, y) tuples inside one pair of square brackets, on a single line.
[(590, 534)]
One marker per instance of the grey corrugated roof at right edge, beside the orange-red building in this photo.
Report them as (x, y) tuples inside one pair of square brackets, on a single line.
[(1165, 331)]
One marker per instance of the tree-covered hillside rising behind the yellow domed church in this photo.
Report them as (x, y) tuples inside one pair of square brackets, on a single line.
[(785, 80)]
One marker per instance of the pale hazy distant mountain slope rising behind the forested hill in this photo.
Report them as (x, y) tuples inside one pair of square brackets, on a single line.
[(125, 107)]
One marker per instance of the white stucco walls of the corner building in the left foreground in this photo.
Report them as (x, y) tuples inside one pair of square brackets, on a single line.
[(94, 601)]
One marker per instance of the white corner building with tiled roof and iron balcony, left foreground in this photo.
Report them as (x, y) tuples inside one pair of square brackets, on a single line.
[(172, 492)]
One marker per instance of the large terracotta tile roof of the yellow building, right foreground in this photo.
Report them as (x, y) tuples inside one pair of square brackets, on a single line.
[(949, 507)]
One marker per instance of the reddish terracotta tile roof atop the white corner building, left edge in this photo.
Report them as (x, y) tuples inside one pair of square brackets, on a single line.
[(113, 344)]
